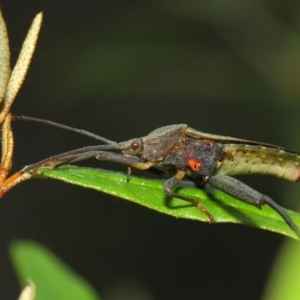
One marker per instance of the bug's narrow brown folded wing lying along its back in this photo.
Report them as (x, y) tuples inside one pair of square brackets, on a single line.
[(199, 135)]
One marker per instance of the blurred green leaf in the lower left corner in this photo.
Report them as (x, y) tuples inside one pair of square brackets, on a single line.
[(52, 278)]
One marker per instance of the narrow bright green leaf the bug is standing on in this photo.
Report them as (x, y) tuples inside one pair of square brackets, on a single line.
[(149, 193)]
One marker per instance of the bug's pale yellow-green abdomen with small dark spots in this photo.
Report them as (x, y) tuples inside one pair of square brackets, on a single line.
[(246, 159)]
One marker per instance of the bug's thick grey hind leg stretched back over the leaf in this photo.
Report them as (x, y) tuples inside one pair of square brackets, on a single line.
[(243, 192)]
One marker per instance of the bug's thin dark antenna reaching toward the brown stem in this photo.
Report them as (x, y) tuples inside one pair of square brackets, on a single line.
[(62, 126)]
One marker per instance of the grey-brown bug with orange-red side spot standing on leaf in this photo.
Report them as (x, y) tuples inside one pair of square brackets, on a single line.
[(178, 151)]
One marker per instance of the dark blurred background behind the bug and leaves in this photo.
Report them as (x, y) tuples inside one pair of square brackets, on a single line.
[(121, 69)]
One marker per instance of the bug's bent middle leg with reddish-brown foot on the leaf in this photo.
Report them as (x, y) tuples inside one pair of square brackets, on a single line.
[(168, 189)]
